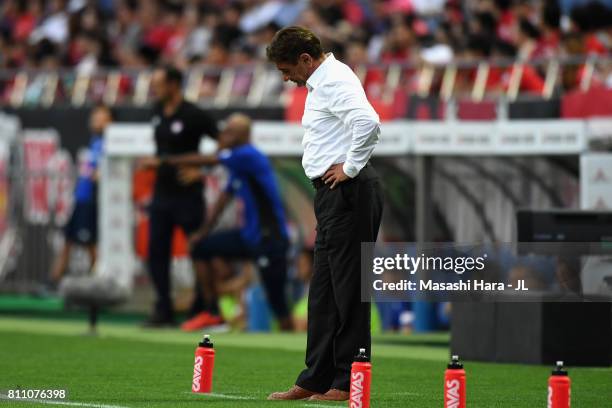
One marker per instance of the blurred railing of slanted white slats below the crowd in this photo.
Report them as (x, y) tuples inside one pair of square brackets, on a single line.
[(259, 84)]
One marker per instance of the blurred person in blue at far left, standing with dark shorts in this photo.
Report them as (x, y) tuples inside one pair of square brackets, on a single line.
[(82, 227)]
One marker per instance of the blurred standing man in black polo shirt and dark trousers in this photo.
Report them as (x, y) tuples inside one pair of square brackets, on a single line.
[(178, 128)]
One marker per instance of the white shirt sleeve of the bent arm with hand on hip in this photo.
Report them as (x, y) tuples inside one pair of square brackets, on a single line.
[(348, 102)]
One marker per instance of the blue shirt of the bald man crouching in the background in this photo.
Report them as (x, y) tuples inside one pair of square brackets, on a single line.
[(252, 180)]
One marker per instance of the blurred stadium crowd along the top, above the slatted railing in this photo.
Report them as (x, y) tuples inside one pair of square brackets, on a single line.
[(85, 34)]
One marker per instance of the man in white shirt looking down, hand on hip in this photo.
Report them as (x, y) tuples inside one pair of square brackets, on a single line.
[(342, 130)]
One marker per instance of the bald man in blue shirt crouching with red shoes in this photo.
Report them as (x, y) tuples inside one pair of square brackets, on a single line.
[(263, 236)]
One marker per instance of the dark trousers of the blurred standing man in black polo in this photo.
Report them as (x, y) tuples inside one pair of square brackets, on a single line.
[(166, 212)]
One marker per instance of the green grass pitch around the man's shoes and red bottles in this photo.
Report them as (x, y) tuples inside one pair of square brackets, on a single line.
[(129, 367)]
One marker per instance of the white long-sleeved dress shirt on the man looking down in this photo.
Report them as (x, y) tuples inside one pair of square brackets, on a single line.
[(341, 125)]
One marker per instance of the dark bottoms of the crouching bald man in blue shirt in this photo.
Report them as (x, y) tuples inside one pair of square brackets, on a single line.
[(270, 256)]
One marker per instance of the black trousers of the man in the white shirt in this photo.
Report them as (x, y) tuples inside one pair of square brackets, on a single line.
[(338, 322)]
